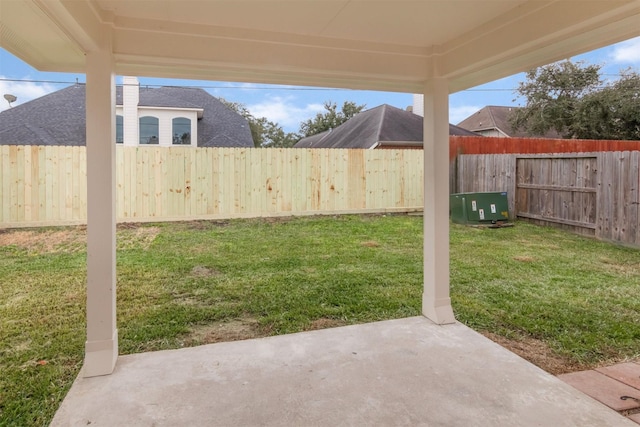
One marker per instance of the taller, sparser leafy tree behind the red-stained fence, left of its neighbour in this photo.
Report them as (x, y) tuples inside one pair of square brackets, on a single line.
[(553, 93)]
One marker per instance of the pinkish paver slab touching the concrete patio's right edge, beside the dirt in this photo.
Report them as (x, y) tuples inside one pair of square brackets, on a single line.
[(603, 388)]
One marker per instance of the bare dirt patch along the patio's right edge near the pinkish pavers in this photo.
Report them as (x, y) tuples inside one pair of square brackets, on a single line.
[(536, 352)]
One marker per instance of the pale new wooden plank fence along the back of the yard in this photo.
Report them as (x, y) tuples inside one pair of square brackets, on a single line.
[(47, 185)]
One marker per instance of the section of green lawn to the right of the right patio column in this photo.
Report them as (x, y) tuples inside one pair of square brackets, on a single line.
[(577, 295)]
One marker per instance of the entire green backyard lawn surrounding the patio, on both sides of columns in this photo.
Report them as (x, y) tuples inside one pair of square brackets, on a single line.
[(563, 301)]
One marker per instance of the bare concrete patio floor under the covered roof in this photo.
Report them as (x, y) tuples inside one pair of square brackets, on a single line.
[(400, 372)]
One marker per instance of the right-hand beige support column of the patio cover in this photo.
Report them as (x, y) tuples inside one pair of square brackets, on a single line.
[(436, 304)]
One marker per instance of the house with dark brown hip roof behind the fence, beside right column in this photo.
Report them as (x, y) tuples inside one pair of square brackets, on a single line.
[(380, 127)]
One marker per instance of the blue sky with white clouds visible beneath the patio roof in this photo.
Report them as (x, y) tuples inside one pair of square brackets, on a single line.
[(290, 105)]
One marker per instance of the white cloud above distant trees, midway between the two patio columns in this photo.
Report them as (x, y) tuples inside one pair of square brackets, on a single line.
[(283, 111)]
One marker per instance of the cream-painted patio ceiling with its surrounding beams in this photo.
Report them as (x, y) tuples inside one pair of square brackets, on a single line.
[(380, 45)]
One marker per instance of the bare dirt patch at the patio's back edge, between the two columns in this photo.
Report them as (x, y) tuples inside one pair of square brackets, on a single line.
[(232, 330)]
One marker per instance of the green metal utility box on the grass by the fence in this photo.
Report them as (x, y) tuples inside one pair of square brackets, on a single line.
[(479, 208)]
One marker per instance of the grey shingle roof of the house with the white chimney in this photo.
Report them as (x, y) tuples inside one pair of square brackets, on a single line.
[(59, 118)]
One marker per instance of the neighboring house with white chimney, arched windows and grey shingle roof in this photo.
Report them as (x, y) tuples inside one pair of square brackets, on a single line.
[(165, 116)]
